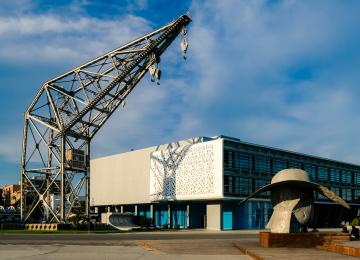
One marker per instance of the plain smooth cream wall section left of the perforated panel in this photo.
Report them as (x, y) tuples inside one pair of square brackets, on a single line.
[(121, 178)]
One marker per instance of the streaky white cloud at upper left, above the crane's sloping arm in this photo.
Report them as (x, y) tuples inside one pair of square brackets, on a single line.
[(51, 38)]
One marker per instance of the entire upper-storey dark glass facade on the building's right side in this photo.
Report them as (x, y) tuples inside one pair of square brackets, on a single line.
[(248, 167)]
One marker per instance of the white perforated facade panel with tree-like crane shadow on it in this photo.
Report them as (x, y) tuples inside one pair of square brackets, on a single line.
[(187, 170)]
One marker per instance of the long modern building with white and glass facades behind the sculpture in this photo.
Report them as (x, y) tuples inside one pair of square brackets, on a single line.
[(198, 183)]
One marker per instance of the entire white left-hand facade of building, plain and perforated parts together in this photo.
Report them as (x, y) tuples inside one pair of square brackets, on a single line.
[(187, 170)]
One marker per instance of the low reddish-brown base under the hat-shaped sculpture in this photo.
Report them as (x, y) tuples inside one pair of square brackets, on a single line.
[(300, 240)]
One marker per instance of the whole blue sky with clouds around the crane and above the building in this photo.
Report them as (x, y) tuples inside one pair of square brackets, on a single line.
[(277, 73)]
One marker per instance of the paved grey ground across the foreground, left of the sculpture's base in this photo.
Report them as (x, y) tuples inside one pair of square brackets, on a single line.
[(150, 245)]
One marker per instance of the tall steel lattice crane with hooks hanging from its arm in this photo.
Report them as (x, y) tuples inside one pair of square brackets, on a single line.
[(69, 110)]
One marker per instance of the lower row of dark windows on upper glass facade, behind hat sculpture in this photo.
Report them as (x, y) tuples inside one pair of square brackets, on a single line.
[(239, 186)]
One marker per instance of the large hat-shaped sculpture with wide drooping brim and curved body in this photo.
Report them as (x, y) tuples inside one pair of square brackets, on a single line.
[(292, 196)]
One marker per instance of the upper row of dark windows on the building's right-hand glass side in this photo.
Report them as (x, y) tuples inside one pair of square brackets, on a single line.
[(266, 165)]
